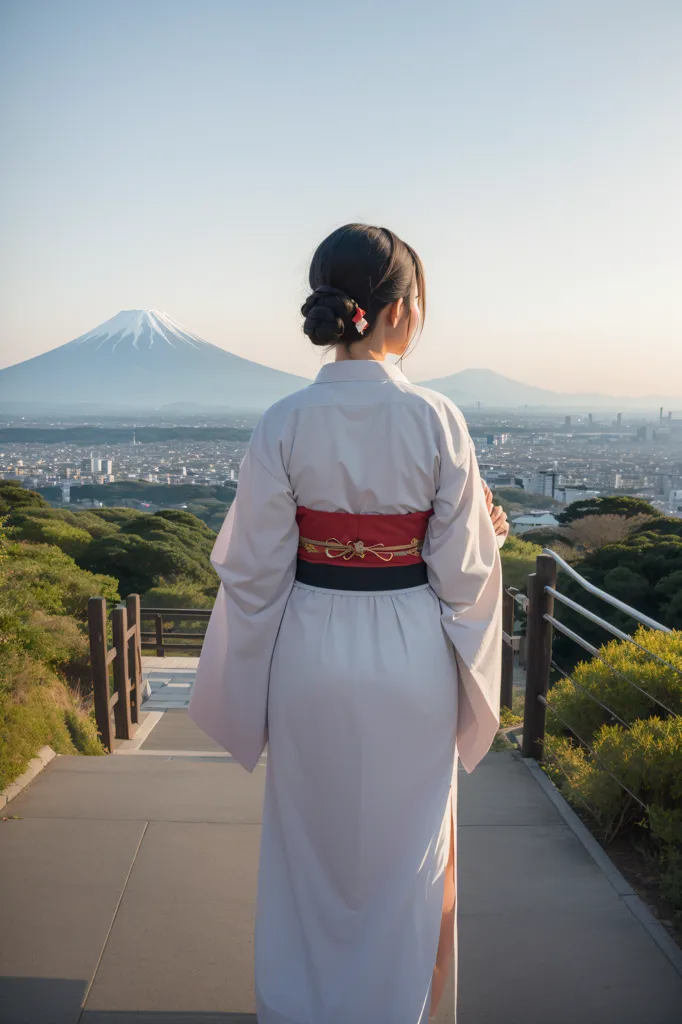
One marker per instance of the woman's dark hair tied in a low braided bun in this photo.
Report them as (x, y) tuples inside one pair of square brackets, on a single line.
[(359, 266)]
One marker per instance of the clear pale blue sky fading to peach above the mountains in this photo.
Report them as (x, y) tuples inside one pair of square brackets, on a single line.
[(190, 156)]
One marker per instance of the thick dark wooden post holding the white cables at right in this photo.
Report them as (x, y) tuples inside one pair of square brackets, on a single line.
[(539, 656)]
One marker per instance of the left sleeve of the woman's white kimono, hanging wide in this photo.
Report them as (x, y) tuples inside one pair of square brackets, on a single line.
[(255, 559)]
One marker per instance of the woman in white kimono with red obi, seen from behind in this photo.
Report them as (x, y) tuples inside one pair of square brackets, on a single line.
[(358, 632)]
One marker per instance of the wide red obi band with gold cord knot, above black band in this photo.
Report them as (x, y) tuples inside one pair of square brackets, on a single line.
[(347, 539)]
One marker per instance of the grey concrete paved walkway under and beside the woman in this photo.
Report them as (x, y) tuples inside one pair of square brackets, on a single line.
[(129, 887)]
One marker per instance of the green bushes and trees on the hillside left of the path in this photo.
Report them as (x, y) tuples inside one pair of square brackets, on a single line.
[(52, 562)]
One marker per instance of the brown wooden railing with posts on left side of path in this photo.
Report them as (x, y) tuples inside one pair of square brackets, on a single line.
[(117, 671)]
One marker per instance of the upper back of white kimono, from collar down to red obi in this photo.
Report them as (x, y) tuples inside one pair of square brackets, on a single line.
[(362, 439)]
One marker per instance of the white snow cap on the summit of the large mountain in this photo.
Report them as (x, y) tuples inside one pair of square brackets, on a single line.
[(141, 329)]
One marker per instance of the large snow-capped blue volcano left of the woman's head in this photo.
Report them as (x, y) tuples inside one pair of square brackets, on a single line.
[(143, 359)]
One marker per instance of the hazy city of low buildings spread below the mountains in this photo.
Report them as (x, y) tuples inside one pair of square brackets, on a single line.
[(564, 458)]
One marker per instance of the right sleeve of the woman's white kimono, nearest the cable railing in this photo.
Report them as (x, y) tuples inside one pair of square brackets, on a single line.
[(461, 551)]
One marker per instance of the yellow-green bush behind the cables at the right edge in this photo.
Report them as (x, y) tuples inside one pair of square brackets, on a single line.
[(642, 752)]
